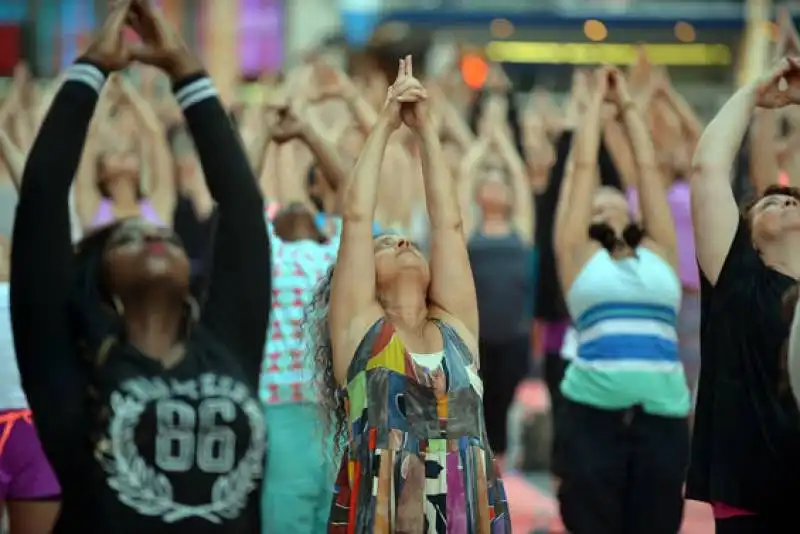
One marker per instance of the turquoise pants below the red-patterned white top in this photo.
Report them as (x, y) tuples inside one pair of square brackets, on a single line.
[(298, 486)]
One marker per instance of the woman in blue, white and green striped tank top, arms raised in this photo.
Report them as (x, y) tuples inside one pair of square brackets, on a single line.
[(624, 440)]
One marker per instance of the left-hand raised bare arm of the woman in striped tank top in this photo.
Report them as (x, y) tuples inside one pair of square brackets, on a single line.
[(574, 210)]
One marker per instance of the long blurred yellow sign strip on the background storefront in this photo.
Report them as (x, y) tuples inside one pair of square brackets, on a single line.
[(678, 55)]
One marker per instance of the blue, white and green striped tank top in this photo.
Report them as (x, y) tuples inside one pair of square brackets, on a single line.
[(625, 313)]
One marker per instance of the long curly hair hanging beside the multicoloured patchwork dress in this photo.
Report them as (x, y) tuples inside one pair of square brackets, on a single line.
[(330, 394)]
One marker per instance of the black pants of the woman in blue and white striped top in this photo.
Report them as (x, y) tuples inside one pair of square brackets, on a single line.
[(623, 471)]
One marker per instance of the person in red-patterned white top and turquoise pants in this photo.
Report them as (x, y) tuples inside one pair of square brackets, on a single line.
[(298, 484)]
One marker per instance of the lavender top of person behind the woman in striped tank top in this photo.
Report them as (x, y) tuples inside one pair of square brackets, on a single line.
[(679, 200)]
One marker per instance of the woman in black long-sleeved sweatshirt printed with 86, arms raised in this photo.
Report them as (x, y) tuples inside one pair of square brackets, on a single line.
[(146, 405)]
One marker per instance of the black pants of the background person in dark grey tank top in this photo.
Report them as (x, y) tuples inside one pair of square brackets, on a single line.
[(504, 364)]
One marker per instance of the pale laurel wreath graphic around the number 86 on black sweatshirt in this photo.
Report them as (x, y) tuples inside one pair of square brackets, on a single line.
[(150, 492)]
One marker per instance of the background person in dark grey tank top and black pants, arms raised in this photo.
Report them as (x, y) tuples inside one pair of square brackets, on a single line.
[(499, 242)]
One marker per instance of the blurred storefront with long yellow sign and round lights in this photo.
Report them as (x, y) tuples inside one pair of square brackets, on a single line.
[(539, 43)]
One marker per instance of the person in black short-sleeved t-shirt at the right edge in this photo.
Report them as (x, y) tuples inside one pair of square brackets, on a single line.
[(746, 443)]
